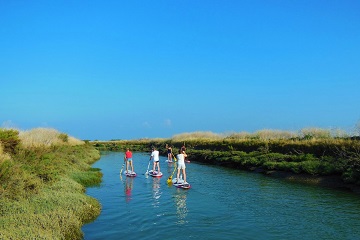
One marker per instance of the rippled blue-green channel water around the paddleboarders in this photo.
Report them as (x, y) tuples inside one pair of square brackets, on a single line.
[(221, 204)]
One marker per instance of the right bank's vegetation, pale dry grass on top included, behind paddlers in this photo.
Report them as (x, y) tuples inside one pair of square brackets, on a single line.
[(314, 152)]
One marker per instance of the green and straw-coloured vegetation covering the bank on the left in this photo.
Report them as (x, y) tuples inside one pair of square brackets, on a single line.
[(43, 174)]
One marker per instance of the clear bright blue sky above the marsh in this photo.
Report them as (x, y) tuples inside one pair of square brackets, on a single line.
[(145, 69)]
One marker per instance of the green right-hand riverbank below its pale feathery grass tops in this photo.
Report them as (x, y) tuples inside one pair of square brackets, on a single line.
[(326, 161)]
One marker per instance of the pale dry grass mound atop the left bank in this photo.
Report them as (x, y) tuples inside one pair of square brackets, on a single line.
[(46, 137)]
